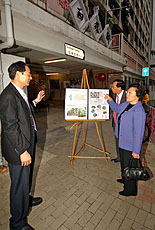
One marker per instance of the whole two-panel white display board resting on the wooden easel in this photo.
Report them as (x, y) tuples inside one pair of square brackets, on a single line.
[(86, 104)]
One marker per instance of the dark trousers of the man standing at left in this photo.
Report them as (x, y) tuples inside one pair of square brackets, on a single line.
[(19, 195)]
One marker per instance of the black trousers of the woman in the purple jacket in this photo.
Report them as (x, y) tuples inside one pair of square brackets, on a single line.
[(130, 186)]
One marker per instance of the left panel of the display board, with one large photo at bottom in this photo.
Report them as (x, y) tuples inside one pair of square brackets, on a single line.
[(76, 104)]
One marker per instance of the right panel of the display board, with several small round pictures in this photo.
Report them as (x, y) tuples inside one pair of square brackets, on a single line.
[(98, 106)]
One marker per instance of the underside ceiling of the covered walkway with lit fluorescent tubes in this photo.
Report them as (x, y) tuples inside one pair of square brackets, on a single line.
[(36, 61)]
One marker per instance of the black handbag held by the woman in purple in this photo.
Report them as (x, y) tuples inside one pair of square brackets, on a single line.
[(139, 173)]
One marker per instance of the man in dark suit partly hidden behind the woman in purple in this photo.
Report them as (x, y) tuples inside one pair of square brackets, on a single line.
[(118, 89)]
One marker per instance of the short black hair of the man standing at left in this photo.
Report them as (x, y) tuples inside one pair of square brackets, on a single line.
[(16, 66)]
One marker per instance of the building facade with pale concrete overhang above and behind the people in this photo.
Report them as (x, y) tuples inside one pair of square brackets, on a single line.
[(38, 30)]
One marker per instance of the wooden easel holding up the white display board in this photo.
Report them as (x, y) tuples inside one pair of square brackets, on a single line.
[(85, 83)]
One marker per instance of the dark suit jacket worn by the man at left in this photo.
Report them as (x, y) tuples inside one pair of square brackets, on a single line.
[(18, 134)]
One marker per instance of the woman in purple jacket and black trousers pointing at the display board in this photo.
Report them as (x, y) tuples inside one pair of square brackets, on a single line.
[(129, 130)]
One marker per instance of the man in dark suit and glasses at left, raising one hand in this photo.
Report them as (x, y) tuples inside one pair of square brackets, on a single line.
[(18, 139)]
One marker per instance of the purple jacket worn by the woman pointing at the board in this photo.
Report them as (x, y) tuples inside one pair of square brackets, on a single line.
[(132, 125)]
